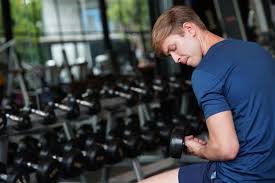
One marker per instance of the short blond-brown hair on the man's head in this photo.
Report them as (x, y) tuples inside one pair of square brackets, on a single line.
[(170, 22)]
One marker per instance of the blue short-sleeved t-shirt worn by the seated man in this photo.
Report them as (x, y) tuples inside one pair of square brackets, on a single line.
[(240, 76)]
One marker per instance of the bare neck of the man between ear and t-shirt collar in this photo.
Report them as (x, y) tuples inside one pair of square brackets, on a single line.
[(207, 40)]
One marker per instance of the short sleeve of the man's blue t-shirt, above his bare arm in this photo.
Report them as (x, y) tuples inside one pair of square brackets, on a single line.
[(209, 93)]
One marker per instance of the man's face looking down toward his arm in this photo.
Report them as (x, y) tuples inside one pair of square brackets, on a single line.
[(183, 49)]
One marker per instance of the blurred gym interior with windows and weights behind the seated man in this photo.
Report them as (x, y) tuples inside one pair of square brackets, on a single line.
[(85, 99)]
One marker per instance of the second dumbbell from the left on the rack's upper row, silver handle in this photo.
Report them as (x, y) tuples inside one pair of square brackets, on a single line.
[(48, 116)]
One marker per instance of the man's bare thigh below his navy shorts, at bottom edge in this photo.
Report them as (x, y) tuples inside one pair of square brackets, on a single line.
[(169, 176)]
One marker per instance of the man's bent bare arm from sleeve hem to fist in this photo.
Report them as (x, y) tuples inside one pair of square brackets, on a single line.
[(223, 142)]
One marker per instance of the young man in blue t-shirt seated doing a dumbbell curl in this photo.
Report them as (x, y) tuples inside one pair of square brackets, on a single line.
[(234, 84)]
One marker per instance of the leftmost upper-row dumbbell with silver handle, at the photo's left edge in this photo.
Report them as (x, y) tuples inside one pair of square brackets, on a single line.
[(22, 120)]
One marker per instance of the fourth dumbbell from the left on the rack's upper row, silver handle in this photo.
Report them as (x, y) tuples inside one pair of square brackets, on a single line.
[(92, 105)]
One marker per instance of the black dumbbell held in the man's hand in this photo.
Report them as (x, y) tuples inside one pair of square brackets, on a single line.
[(177, 144)]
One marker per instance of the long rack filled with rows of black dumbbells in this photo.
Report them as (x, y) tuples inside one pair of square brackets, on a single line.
[(124, 122)]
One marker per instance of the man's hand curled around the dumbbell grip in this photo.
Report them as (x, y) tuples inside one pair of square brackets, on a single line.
[(194, 145)]
